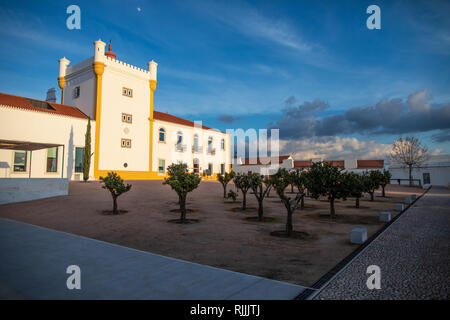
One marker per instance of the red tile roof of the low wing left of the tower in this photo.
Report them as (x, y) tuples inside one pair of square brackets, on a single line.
[(23, 103)]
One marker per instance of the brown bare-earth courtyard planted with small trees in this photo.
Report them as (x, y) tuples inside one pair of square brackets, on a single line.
[(223, 237)]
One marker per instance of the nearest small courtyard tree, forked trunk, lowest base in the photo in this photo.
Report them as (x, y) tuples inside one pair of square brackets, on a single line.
[(280, 181)]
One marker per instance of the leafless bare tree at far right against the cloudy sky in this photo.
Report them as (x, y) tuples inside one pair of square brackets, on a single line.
[(410, 153)]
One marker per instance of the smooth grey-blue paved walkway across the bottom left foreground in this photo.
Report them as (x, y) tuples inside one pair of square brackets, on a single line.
[(33, 263)]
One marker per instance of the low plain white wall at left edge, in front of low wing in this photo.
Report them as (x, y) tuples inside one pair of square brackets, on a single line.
[(17, 190)]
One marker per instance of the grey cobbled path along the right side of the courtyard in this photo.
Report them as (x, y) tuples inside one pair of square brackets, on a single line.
[(413, 255)]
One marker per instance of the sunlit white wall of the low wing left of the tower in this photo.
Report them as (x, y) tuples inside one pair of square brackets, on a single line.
[(41, 127)]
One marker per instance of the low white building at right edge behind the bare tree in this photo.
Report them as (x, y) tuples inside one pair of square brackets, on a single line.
[(435, 171)]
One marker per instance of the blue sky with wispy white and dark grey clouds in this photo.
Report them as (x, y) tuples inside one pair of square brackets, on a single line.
[(312, 69)]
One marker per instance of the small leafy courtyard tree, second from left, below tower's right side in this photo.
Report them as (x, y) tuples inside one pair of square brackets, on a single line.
[(183, 182)]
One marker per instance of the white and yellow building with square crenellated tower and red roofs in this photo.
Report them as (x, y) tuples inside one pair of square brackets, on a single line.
[(43, 139)]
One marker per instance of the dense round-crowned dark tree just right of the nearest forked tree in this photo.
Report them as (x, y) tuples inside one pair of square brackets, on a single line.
[(324, 179)]
